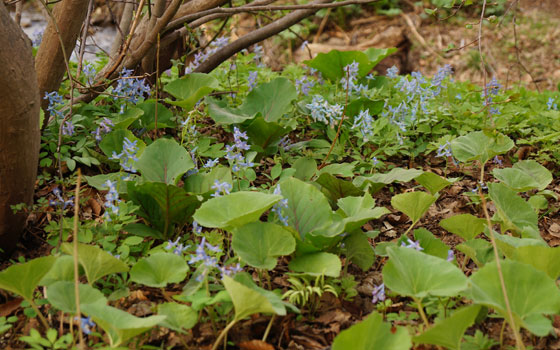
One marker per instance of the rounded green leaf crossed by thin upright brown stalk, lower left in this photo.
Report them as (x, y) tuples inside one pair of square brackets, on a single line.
[(62, 296)]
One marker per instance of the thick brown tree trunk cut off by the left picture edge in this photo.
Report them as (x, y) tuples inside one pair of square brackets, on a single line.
[(19, 128)]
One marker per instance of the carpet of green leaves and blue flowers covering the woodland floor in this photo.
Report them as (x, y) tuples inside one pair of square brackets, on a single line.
[(236, 209)]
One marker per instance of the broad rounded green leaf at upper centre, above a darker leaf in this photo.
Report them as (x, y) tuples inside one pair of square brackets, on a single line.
[(272, 100)]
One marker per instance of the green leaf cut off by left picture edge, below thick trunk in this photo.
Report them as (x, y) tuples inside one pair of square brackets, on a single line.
[(22, 279)]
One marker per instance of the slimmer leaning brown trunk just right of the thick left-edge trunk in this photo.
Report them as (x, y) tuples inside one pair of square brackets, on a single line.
[(49, 64)]
